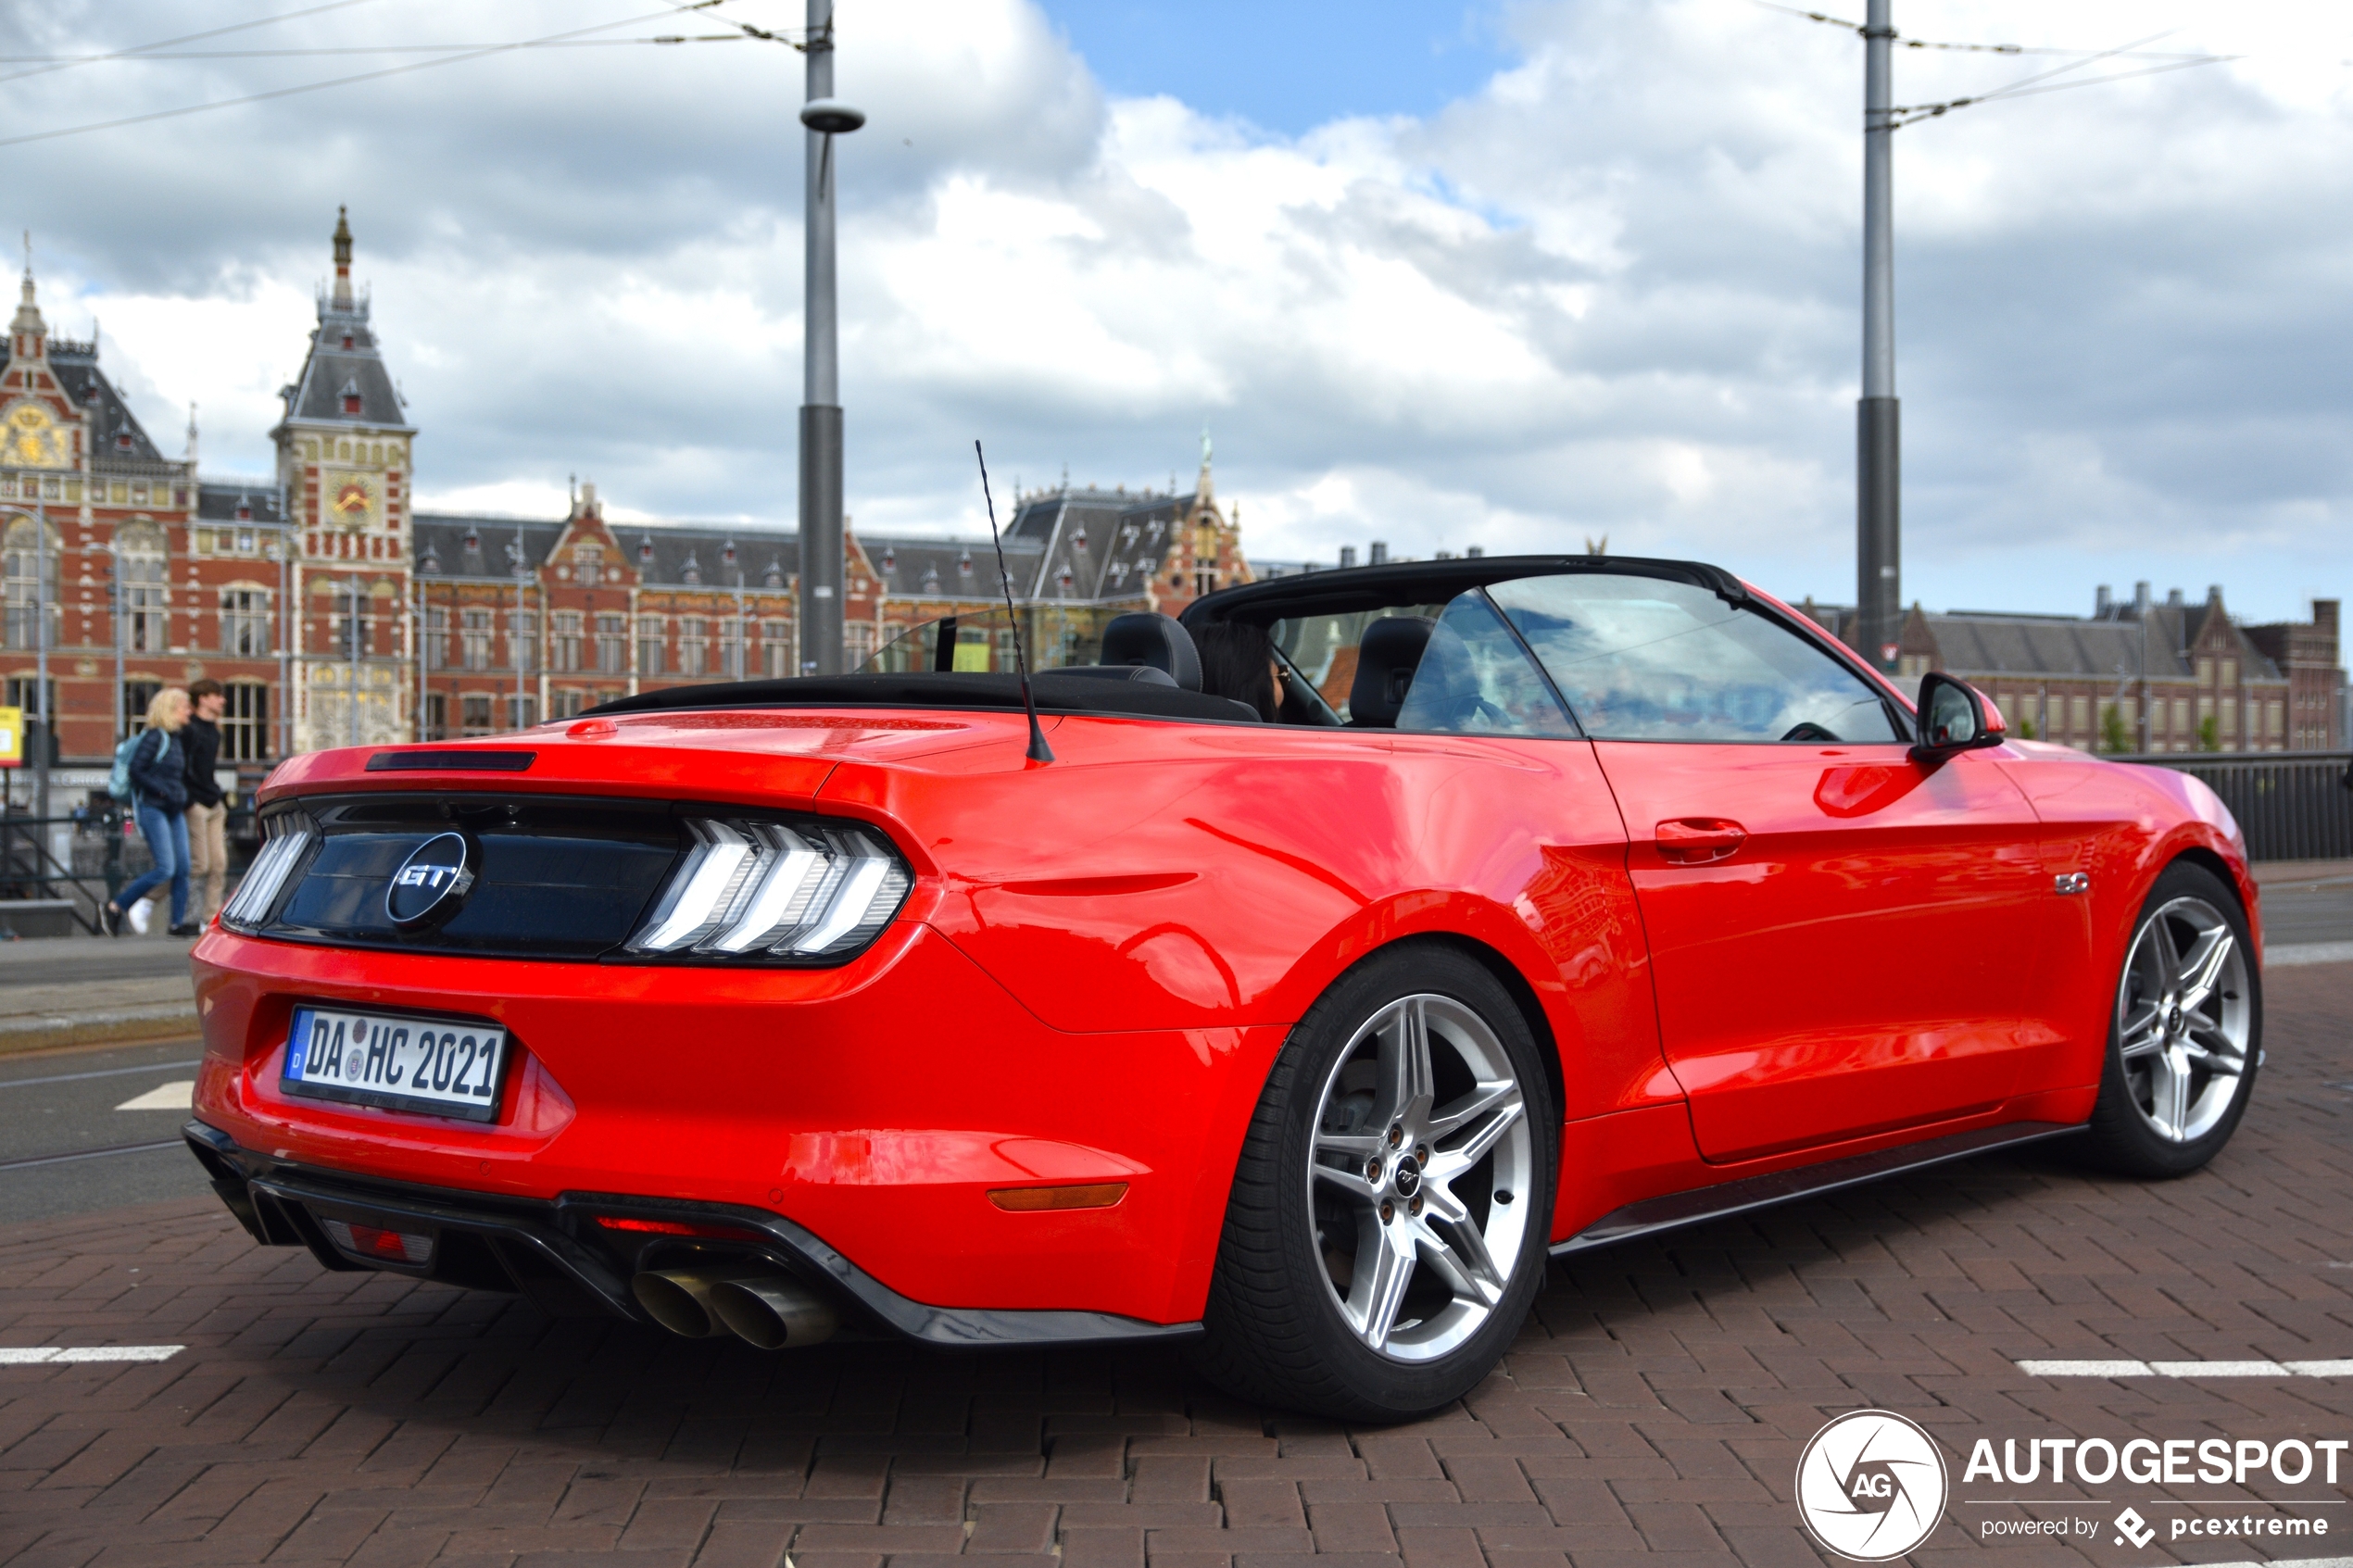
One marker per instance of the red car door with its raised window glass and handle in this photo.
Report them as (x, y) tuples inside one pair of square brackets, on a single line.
[(1844, 939)]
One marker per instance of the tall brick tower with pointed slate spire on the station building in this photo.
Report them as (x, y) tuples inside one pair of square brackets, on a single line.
[(345, 455)]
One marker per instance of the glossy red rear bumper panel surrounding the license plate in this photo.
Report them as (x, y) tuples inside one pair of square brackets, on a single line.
[(886, 1106)]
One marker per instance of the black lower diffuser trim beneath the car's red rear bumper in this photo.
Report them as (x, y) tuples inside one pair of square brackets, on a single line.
[(561, 1257)]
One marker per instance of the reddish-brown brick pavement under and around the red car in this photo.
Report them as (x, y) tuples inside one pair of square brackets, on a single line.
[(1653, 1412)]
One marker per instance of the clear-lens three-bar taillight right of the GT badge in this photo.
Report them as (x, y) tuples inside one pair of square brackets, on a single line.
[(778, 890)]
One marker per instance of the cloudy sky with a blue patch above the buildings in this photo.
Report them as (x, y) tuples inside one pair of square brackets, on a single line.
[(1509, 274)]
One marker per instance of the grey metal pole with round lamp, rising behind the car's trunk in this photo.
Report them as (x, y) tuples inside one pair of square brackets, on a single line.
[(822, 394)]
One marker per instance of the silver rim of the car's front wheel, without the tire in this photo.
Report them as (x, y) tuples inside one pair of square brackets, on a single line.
[(2182, 1019)]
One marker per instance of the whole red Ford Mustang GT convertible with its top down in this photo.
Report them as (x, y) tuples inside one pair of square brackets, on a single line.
[(1498, 909)]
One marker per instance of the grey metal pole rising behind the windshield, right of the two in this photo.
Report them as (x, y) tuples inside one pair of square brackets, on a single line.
[(1879, 535)]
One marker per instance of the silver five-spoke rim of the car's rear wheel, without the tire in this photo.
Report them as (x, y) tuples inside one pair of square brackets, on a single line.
[(1420, 1177)]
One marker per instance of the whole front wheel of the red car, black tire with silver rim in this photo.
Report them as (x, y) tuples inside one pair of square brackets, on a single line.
[(2126, 1134)]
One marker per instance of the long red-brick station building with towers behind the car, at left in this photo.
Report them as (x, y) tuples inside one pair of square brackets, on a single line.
[(335, 612)]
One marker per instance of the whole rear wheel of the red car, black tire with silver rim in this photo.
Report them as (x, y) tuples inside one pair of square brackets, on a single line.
[(1277, 1322)]
